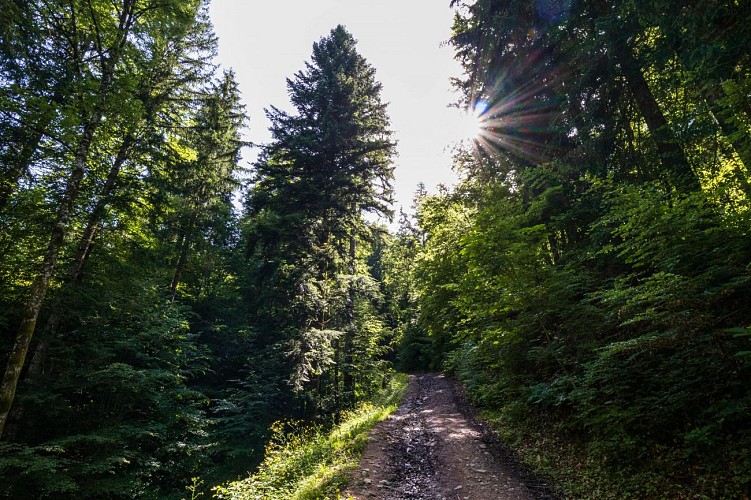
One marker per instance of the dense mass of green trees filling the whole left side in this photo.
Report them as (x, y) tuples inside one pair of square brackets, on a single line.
[(127, 148)]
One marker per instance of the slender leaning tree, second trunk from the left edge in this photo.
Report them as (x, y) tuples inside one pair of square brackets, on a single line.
[(169, 77)]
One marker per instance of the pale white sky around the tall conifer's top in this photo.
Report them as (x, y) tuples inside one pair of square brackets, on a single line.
[(266, 42)]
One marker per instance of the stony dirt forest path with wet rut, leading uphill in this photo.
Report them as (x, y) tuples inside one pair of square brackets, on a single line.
[(429, 449)]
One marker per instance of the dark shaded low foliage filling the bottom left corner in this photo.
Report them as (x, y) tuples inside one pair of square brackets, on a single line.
[(115, 418)]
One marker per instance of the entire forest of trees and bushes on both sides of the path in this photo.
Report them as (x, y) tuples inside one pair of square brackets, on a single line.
[(167, 308)]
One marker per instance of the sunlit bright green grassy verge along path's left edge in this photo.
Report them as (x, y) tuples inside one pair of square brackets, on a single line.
[(313, 463)]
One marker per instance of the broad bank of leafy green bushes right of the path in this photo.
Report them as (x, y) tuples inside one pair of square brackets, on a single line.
[(622, 358)]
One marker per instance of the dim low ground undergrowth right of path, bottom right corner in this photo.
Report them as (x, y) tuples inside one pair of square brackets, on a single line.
[(578, 470)]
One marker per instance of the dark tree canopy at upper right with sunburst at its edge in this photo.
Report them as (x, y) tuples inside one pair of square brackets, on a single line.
[(574, 57)]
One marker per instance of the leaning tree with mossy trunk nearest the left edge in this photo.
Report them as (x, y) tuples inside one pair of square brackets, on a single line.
[(95, 41)]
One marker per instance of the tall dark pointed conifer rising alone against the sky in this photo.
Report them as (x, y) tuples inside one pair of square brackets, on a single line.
[(327, 164)]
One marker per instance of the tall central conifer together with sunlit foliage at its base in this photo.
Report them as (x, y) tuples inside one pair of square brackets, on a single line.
[(309, 288)]
